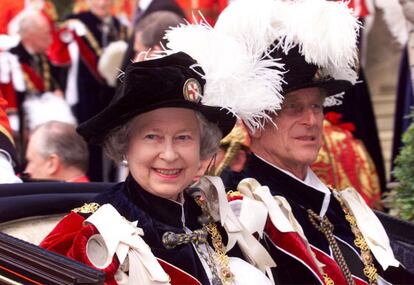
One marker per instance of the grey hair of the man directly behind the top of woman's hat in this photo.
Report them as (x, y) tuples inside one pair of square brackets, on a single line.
[(152, 28)]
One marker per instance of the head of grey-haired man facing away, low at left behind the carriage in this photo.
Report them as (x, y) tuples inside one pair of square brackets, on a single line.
[(56, 152)]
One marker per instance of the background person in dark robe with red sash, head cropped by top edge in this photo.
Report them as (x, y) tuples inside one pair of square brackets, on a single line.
[(93, 31)]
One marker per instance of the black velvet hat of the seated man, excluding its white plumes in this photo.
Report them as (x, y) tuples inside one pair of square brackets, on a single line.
[(301, 74)]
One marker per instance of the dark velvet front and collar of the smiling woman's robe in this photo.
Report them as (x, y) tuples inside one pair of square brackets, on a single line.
[(156, 216)]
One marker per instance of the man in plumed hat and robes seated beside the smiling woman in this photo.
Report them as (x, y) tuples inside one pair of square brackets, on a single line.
[(315, 234)]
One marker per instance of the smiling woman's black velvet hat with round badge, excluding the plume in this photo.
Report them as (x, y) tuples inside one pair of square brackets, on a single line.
[(158, 83)]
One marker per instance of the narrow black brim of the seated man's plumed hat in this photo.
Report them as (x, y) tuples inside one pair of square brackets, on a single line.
[(330, 86)]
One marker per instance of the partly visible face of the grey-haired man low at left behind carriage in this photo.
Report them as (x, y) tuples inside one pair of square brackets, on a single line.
[(38, 166)]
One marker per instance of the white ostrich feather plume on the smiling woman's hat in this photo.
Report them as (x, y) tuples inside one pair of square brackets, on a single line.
[(237, 76)]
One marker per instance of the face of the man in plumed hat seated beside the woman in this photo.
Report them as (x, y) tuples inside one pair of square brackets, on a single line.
[(293, 144)]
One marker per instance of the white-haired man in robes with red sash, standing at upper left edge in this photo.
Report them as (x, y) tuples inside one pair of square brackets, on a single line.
[(25, 69)]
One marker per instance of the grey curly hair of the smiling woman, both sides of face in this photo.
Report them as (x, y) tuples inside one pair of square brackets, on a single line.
[(117, 141)]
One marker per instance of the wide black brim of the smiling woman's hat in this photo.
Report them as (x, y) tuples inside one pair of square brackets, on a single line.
[(95, 130)]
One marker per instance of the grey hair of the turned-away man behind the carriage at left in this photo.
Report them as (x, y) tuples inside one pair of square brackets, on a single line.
[(62, 139)]
